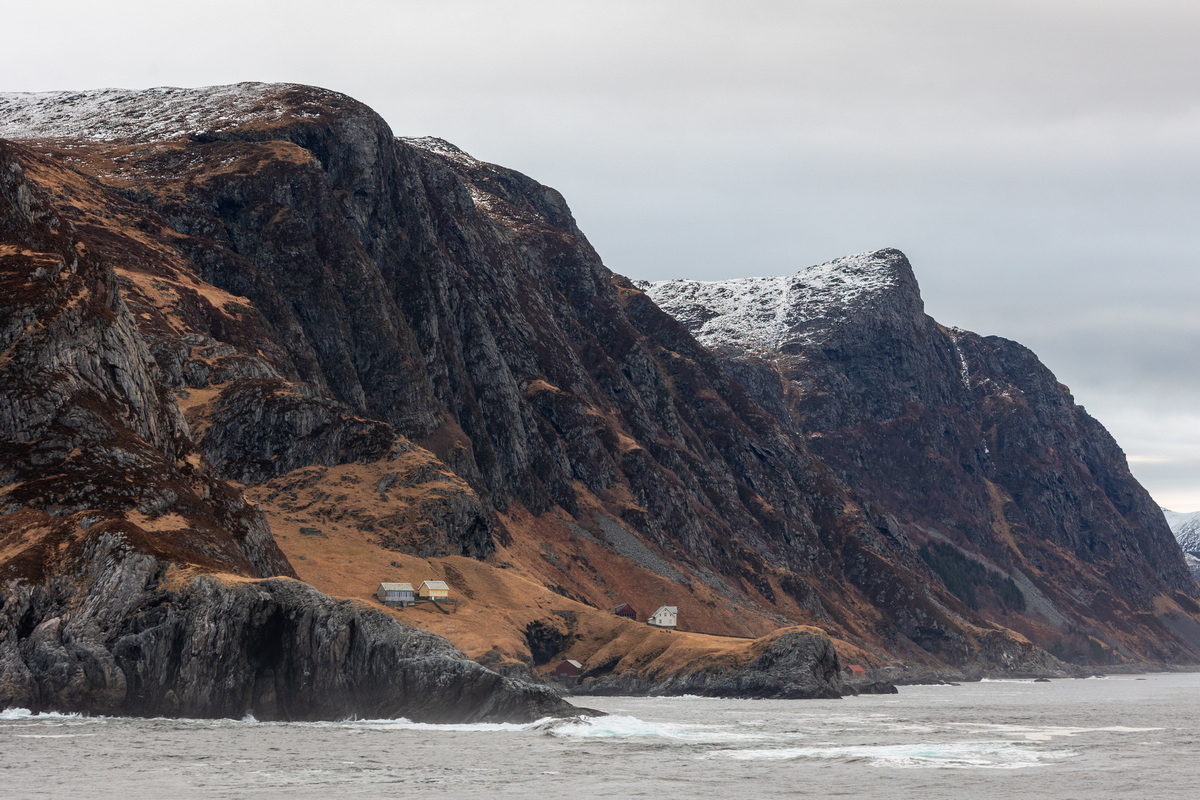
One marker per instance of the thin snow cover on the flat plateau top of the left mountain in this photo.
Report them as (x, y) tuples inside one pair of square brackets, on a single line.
[(146, 116)]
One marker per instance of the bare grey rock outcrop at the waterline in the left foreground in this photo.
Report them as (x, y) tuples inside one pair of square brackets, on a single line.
[(127, 637)]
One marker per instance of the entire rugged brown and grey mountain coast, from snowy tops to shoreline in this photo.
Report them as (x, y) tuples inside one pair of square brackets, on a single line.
[(249, 334)]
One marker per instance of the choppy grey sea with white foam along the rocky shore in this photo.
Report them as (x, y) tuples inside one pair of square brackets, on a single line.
[(1131, 737)]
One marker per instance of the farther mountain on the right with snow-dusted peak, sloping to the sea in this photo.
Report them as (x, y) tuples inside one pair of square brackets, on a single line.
[(964, 448)]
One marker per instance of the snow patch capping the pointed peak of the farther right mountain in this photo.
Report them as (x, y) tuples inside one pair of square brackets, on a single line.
[(752, 315)]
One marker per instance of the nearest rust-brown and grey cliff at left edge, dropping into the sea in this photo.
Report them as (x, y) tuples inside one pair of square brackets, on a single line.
[(111, 510)]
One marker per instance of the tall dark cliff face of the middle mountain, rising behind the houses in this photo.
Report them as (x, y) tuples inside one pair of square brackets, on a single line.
[(403, 282)]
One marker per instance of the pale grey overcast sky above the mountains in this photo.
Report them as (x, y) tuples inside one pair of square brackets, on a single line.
[(1037, 160)]
